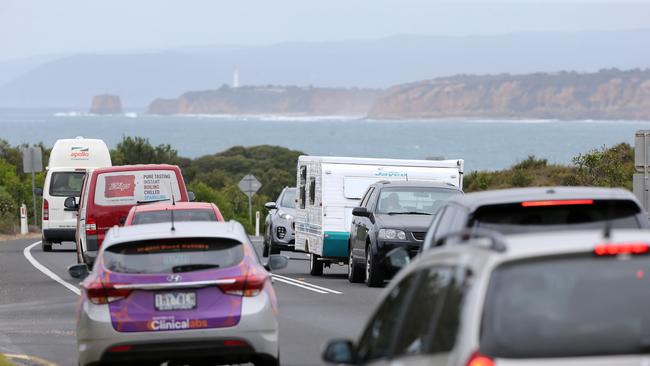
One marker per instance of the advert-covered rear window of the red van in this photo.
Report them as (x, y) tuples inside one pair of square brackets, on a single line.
[(134, 187)]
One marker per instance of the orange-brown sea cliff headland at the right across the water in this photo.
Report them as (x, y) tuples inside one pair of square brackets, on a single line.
[(609, 94)]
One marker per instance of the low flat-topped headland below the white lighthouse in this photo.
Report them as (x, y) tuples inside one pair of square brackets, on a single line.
[(269, 100)]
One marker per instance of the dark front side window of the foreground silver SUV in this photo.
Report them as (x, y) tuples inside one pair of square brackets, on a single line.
[(377, 338)]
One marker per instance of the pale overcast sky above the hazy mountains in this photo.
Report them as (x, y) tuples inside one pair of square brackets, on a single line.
[(42, 27)]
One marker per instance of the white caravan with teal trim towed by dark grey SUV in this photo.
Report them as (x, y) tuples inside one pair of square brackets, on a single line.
[(330, 187)]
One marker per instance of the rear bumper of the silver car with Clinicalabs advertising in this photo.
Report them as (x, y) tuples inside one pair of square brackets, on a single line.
[(257, 328)]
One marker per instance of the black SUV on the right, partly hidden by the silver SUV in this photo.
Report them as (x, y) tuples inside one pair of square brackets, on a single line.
[(525, 210)]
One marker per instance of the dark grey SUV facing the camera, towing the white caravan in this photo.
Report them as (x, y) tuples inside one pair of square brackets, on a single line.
[(392, 214)]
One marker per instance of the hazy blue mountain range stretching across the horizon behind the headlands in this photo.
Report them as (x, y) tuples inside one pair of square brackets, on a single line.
[(141, 77)]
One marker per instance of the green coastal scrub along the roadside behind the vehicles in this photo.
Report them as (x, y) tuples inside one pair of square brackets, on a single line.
[(214, 178)]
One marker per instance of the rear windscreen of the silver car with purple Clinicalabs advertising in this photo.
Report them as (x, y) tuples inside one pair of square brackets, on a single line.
[(173, 255)]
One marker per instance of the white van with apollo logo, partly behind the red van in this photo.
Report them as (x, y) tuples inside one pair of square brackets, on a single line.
[(69, 162)]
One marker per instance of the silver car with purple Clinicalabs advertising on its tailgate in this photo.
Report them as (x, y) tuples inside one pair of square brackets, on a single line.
[(186, 293)]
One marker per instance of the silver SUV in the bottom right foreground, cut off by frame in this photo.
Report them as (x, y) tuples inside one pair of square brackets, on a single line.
[(562, 298)]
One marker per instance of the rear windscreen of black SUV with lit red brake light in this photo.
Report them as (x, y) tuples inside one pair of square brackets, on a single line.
[(543, 216)]
